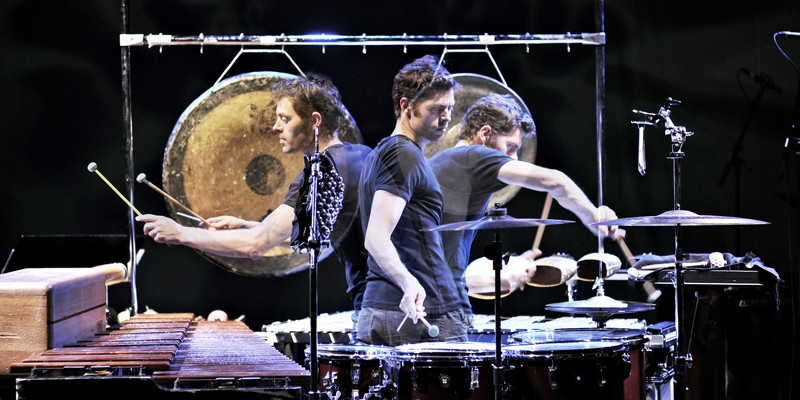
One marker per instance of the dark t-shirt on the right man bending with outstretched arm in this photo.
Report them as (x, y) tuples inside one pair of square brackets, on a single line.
[(467, 177)]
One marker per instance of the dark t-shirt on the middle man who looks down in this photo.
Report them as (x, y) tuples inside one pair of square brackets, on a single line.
[(397, 165)]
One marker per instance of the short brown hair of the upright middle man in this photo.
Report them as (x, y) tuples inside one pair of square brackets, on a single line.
[(416, 78)]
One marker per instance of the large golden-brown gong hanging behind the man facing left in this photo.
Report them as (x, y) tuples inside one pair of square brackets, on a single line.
[(223, 158)]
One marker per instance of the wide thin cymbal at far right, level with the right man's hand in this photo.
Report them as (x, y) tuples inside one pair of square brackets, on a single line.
[(680, 217)]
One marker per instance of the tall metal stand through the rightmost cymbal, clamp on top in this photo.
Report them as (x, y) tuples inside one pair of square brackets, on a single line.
[(678, 135)]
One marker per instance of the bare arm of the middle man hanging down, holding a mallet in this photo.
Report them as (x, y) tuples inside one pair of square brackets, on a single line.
[(386, 211)]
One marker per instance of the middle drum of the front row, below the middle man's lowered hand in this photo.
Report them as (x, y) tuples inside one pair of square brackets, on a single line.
[(438, 370)]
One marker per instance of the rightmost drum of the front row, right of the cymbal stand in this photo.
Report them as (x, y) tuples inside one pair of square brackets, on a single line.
[(567, 370)]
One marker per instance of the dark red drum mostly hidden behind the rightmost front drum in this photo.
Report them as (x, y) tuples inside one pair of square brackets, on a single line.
[(634, 341)]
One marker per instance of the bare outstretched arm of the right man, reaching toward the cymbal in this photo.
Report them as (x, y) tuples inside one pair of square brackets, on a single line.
[(562, 188)]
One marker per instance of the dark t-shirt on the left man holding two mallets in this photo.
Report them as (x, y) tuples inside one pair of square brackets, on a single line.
[(347, 238)]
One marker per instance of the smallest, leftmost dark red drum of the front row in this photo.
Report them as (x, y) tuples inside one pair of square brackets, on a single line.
[(355, 371)]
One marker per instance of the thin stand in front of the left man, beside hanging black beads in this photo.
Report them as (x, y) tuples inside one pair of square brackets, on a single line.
[(313, 258)]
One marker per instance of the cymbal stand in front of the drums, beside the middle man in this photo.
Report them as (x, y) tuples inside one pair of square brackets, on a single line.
[(494, 251)]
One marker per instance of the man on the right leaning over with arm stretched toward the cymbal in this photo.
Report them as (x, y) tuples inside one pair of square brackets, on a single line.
[(483, 161)]
